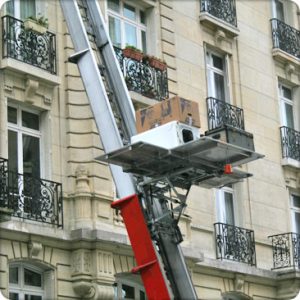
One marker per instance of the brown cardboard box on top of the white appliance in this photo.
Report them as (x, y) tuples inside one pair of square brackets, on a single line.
[(173, 109)]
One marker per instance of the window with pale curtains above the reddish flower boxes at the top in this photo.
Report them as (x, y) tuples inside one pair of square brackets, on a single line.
[(127, 24)]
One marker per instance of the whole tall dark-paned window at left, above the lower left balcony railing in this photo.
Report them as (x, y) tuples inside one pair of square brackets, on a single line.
[(23, 141)]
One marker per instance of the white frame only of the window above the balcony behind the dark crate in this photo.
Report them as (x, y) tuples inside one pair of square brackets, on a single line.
[(211, 70)]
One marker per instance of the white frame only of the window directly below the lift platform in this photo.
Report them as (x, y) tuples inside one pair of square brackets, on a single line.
[(221, 207)]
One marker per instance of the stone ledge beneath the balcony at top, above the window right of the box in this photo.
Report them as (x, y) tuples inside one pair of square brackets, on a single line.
[(214, 23)]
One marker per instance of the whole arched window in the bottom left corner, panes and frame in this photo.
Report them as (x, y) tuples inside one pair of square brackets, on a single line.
[(26, 282)]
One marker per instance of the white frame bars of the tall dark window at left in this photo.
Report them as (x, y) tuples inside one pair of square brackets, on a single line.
[(20, 130)]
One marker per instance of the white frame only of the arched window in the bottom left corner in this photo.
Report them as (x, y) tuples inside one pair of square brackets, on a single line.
[(21, 289)]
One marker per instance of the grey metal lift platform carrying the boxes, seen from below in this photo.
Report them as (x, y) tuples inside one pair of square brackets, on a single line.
[(198, 162)]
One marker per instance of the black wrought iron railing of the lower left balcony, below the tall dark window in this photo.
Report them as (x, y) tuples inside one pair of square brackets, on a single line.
[(31, 198)]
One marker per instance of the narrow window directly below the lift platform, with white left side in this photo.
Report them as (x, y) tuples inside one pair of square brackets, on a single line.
[(225, 205)]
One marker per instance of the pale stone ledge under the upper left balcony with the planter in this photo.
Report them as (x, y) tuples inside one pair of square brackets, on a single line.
[(23, 68)]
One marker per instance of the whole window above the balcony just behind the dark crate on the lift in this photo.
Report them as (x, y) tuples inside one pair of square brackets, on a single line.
[(216, 76)]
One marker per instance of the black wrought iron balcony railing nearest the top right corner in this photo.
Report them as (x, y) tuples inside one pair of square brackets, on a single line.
[(285, 38)]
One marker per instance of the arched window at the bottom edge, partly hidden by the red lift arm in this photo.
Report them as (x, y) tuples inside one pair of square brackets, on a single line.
[(129, 288)]
